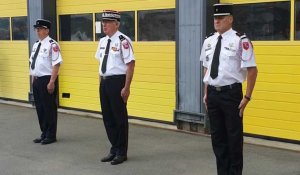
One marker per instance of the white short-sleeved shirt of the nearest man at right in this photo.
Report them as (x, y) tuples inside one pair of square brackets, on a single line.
[(235, 56)]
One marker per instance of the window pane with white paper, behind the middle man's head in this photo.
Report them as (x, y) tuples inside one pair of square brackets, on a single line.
[(127, 25)]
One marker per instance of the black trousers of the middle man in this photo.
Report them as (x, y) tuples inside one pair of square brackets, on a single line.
[(114, 111)]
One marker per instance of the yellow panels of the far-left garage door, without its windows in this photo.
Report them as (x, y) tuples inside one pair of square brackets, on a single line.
[(14, 76)]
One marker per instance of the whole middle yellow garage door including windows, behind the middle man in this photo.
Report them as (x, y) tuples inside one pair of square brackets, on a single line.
[(153, 86)]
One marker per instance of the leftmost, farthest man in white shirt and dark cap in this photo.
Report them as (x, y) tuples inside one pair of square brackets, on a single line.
[(45, 61)]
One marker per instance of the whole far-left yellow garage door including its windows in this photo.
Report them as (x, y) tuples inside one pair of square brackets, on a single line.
[(14, 76)]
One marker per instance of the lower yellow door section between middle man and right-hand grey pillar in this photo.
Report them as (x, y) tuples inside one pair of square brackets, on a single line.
[(153, 88)]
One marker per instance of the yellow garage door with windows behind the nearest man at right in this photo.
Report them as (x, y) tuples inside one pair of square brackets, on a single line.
[(275, 109)]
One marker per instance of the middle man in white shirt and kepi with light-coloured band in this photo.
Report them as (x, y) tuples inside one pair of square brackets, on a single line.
[(115, 54)]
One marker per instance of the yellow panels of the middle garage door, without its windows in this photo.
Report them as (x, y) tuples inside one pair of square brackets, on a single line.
[(153, 86)]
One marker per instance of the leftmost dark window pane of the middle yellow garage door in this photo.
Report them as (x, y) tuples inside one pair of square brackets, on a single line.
[(77, 27)]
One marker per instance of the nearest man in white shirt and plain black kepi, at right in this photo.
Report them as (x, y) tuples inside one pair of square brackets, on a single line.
[(228, 59)]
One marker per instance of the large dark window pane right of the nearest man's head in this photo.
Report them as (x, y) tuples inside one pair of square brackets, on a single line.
[(263, 21)]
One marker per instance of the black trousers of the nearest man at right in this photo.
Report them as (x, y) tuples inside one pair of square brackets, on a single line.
[(226, 128)]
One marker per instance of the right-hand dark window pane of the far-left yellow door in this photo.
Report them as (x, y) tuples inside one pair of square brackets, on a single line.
[(19, 28)]
